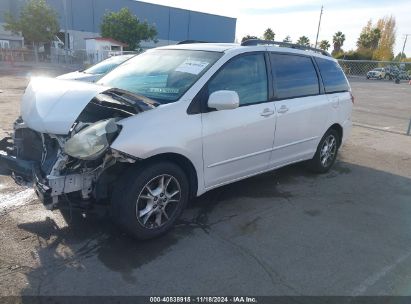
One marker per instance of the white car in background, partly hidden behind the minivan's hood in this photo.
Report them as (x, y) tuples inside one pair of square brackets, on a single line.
[(95, 72)]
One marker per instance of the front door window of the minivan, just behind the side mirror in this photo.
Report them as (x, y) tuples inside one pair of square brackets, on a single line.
[(246, 75)]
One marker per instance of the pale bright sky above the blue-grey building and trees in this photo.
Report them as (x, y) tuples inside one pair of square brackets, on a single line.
[(298, 17)]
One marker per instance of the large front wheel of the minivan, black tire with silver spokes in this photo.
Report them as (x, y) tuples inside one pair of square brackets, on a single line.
[(147, 201)]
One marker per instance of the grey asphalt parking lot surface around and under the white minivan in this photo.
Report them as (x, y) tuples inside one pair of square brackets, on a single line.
[(287, 232)]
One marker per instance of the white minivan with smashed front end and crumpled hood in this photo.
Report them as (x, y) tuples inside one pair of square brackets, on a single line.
[(175, 122)]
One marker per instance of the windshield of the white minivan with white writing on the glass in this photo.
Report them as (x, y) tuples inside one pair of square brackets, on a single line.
[(161, 75)]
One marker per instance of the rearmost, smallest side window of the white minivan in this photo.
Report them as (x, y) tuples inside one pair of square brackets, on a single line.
[(332, 75)]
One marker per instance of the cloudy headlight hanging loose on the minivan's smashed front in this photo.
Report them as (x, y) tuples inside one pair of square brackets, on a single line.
[(91, 142)]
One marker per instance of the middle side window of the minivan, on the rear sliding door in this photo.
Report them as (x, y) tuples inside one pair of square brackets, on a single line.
[(294, 76)]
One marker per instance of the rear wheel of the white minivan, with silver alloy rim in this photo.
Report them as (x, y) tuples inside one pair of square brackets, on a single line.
[(326, 153)]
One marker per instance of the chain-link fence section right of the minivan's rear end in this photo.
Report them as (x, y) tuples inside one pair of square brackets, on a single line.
[(380, 104)]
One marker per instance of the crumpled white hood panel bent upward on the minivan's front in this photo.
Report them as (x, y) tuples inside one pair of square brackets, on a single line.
[(52, 106)]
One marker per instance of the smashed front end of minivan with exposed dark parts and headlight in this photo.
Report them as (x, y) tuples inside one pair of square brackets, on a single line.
[(79, 166)]
